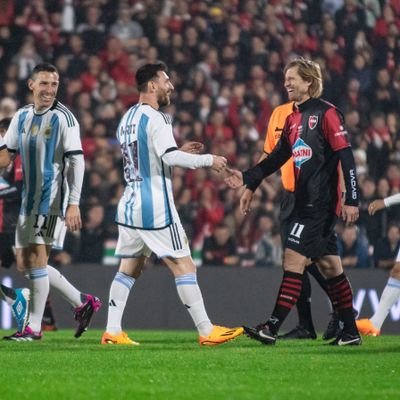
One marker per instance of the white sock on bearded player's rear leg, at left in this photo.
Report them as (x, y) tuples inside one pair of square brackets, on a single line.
[(119, 291)]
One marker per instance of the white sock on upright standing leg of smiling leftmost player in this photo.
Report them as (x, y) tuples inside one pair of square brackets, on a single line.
[(39, 285)]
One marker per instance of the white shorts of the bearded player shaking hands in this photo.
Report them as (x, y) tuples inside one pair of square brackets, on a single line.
[(168, 242)]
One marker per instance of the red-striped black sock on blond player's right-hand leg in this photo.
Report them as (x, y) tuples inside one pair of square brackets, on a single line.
[(341, 296)]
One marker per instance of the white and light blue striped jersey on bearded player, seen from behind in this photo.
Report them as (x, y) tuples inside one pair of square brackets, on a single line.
[(145, 135)]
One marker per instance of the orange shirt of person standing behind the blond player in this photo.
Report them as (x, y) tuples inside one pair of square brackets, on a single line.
[(274, 132)]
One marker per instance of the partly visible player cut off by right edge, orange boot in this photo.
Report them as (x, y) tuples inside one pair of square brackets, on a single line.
[(391, 292)]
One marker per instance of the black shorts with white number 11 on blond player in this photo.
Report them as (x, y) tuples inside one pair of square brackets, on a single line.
[(312, 233)]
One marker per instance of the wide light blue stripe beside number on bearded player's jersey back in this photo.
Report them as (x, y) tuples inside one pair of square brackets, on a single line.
[(146, 193)]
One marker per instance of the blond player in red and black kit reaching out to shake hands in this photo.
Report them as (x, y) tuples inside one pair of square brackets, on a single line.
[(316, 138)]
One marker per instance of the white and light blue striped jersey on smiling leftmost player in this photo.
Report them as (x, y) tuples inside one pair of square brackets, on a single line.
[(44, 142)]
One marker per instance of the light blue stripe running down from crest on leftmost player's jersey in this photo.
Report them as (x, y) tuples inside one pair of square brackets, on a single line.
[(48, 172)]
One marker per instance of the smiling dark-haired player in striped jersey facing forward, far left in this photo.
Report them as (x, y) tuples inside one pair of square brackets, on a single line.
[(46, 135)]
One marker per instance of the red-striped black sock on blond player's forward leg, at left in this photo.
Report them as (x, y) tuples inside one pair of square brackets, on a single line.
[(288, 295)]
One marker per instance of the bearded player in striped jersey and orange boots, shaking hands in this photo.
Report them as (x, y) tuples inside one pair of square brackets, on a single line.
[(147, 218)]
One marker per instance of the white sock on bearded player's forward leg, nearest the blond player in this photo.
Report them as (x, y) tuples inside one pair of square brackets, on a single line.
[(190, 295)]
